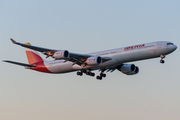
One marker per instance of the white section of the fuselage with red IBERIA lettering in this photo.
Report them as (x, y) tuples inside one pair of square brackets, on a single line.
[(119, 56)]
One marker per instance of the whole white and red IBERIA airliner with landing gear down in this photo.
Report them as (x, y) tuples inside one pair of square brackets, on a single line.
[(109, 60)]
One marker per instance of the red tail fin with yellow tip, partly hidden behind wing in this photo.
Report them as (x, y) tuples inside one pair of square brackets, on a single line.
[(33, 56)]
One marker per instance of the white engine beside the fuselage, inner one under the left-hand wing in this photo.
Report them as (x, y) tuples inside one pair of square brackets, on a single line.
[(94, 60)]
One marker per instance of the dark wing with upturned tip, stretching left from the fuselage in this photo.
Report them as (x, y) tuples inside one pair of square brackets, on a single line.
[(73, 57)]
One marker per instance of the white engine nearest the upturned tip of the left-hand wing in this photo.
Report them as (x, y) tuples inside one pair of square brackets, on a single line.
[(61, 54)]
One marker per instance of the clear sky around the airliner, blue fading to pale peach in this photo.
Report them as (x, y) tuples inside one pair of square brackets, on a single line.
[(82, 27)]
